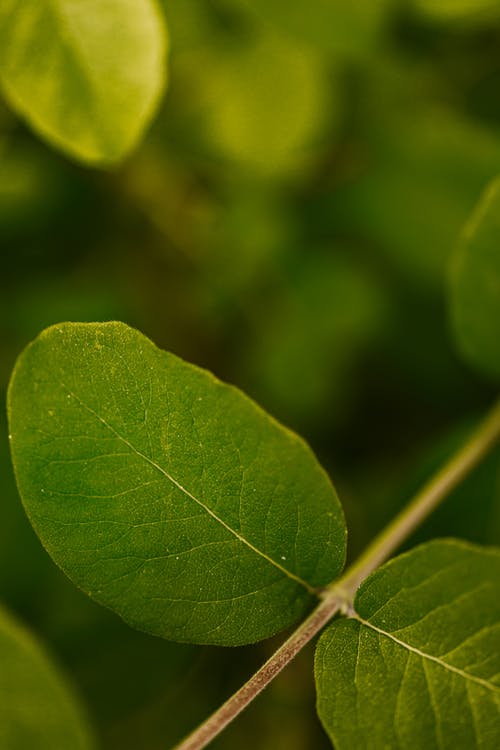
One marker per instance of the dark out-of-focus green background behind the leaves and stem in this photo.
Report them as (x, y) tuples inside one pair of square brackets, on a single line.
[(288, 223)]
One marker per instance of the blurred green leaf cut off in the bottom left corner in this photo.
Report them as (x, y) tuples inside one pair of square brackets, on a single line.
[(37, 707)]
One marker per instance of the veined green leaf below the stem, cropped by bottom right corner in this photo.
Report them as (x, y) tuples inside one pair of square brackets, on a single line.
[(417, 666)]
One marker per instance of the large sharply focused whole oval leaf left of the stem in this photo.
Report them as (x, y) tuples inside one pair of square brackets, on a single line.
[(166, 495)]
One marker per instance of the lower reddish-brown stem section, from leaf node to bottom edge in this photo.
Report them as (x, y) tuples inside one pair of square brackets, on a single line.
[(207, 731)]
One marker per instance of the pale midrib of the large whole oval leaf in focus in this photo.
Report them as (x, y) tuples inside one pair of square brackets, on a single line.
[(310, 589)]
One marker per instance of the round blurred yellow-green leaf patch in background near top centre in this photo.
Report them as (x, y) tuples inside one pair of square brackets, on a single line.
[(264, 102)]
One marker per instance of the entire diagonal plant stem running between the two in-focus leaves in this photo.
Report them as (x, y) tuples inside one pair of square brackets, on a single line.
[(339, 595)]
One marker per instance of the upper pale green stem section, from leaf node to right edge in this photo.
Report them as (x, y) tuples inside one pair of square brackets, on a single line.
[(482, 440)]
